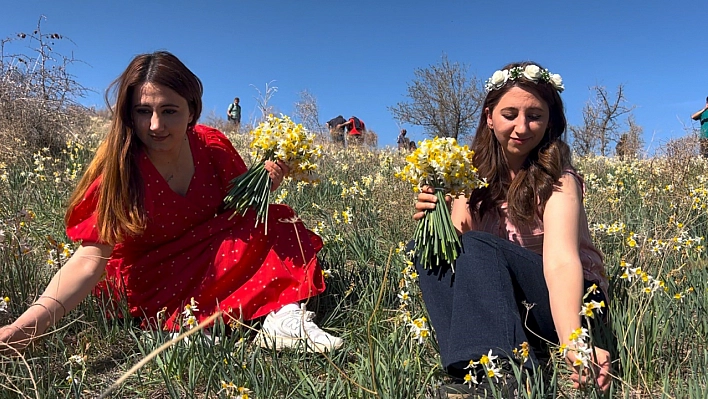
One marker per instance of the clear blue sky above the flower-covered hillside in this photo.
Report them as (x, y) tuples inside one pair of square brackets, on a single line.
[(356, 57)]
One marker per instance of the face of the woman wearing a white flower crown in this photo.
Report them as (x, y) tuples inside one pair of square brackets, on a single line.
[(519, 121)]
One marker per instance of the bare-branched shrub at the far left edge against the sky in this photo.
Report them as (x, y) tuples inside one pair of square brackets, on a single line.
[(38, 107)]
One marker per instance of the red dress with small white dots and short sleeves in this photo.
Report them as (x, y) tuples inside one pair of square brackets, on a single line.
[(190, 248)]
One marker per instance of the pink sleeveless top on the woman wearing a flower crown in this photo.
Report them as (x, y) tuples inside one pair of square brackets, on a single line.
[(531, 238)]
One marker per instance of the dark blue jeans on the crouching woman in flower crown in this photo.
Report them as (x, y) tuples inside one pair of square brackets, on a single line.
[(482, 305)]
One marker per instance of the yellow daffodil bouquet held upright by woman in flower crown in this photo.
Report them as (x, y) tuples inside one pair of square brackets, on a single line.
[(446, 167)]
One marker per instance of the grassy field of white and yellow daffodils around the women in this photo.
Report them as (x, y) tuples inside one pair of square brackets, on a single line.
[(649, 217)]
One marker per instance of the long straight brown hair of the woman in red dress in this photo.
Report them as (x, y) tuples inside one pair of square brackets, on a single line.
[(120, 210)]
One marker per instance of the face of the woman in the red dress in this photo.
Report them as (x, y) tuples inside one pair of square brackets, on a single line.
[(160, 117)]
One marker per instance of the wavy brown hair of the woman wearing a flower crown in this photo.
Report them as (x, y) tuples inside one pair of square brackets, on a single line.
[(527, 194)]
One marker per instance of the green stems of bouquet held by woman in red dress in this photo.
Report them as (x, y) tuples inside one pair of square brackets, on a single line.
[(251, 190)]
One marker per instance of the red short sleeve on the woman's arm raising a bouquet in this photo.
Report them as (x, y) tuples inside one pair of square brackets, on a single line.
[(222, 155)]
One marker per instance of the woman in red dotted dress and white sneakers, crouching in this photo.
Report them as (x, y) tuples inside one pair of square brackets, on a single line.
[(148, 213)]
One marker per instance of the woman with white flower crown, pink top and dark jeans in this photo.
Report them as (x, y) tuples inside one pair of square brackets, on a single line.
[(525, 241)]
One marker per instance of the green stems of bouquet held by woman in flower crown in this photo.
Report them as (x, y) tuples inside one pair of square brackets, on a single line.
[(436, 240)]
